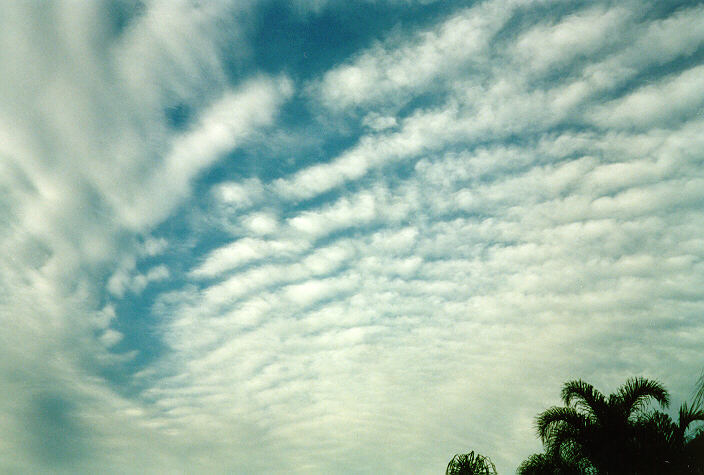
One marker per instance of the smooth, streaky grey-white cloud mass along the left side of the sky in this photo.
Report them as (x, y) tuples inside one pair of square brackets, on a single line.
[(90, 165)]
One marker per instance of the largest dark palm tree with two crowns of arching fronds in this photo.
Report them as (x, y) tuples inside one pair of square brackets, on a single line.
[(596, 433)]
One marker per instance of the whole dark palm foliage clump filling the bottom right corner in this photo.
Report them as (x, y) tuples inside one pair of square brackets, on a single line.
[(597, 434)]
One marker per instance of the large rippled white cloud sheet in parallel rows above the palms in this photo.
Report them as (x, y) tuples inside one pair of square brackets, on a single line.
[(517, 234)]
